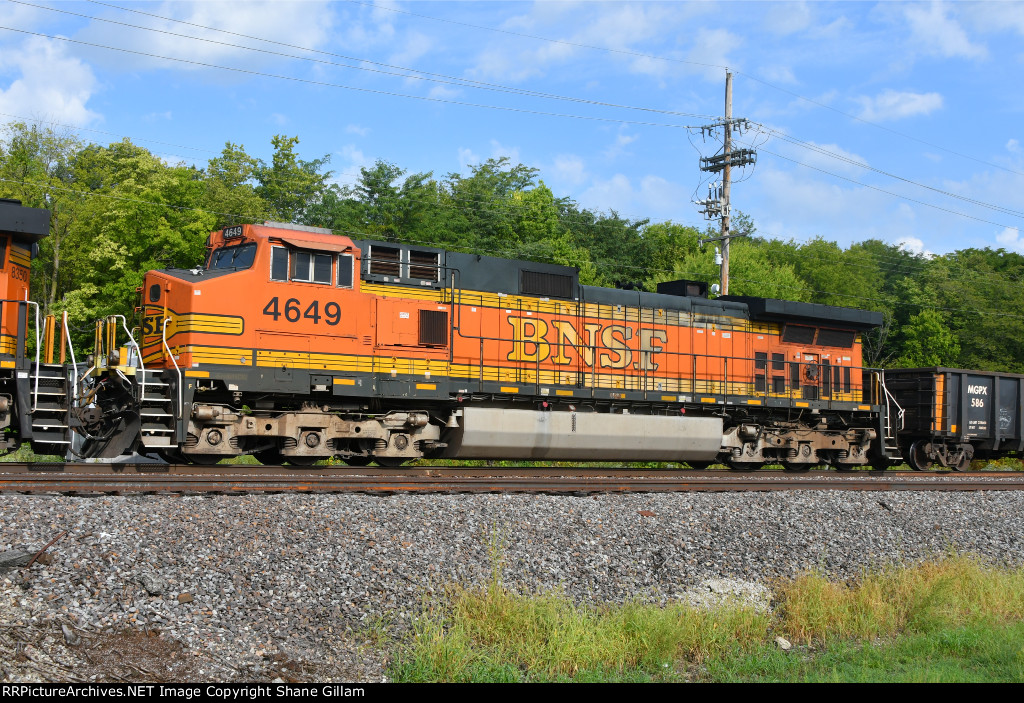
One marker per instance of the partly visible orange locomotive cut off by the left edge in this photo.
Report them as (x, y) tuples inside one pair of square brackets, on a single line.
[(34, 403)]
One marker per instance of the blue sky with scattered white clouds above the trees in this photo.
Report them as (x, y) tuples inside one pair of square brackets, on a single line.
[(895, 121)]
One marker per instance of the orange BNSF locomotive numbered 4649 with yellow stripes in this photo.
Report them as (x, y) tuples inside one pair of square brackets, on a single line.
[(294, 345)]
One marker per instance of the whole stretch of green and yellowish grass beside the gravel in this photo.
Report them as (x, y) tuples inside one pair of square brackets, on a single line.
[(953, 620)]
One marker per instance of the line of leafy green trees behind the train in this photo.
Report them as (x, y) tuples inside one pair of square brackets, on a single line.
[(119, 211)]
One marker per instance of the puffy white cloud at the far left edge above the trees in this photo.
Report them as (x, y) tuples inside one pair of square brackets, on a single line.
[(49, 83)]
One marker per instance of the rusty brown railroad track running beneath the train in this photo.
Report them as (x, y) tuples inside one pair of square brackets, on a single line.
[(190, 479)]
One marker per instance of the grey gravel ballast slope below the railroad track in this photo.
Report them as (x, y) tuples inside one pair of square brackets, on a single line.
[(294, 587)]
